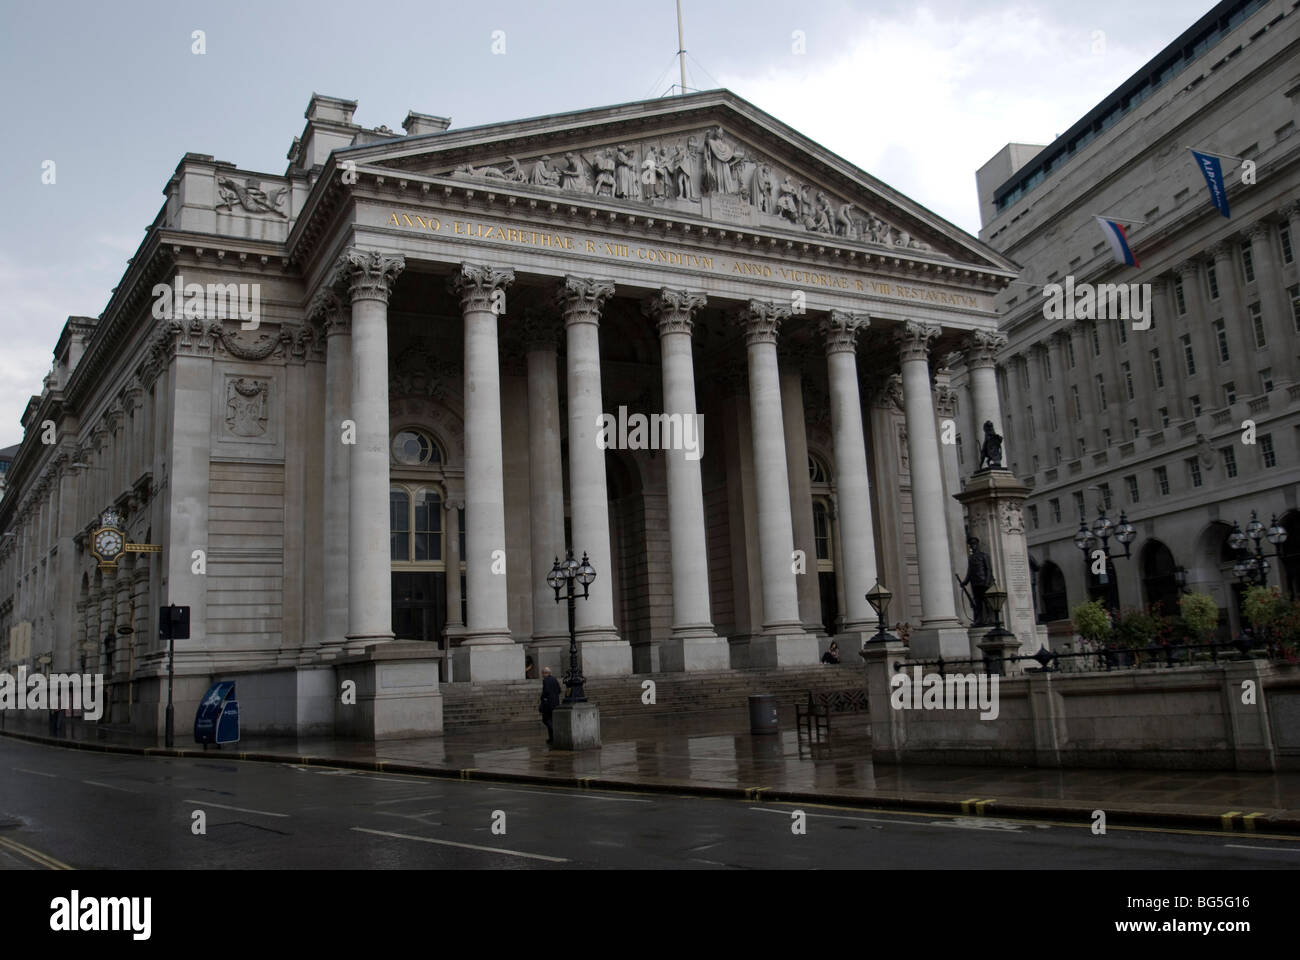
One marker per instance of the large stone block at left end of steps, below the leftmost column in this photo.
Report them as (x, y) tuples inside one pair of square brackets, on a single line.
[(397, 694)]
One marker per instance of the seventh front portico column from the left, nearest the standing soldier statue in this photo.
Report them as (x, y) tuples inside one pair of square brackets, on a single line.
[(941, 633)]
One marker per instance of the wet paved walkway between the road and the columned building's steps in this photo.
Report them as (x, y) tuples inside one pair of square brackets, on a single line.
[(714, 754)]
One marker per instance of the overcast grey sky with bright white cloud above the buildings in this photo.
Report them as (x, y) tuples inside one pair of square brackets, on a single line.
[(918, 94)]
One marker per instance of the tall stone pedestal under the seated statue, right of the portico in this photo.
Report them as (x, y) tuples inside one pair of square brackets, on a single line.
[(995, 503)]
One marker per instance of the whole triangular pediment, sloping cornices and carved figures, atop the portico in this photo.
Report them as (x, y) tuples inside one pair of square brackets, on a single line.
[(710, 157)]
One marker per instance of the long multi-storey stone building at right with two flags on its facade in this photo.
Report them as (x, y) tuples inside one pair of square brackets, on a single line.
[(1102, 414)]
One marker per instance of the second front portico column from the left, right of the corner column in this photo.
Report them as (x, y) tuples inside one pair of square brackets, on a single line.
[(492, 655)]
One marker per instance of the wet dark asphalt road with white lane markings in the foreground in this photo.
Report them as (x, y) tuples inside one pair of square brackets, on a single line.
[(80, 810)]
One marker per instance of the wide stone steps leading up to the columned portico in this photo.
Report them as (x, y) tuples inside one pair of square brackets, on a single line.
[(515, 702)]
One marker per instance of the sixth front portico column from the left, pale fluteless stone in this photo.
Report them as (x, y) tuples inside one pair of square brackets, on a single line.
[(851, 466)]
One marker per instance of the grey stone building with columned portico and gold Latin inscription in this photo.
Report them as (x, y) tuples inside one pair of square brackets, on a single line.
[(362, 401)]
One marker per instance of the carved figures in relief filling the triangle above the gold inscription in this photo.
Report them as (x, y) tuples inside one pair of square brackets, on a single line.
[(688, 171)]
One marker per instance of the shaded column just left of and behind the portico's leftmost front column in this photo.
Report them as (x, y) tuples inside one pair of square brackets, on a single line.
[(328, 310)]
